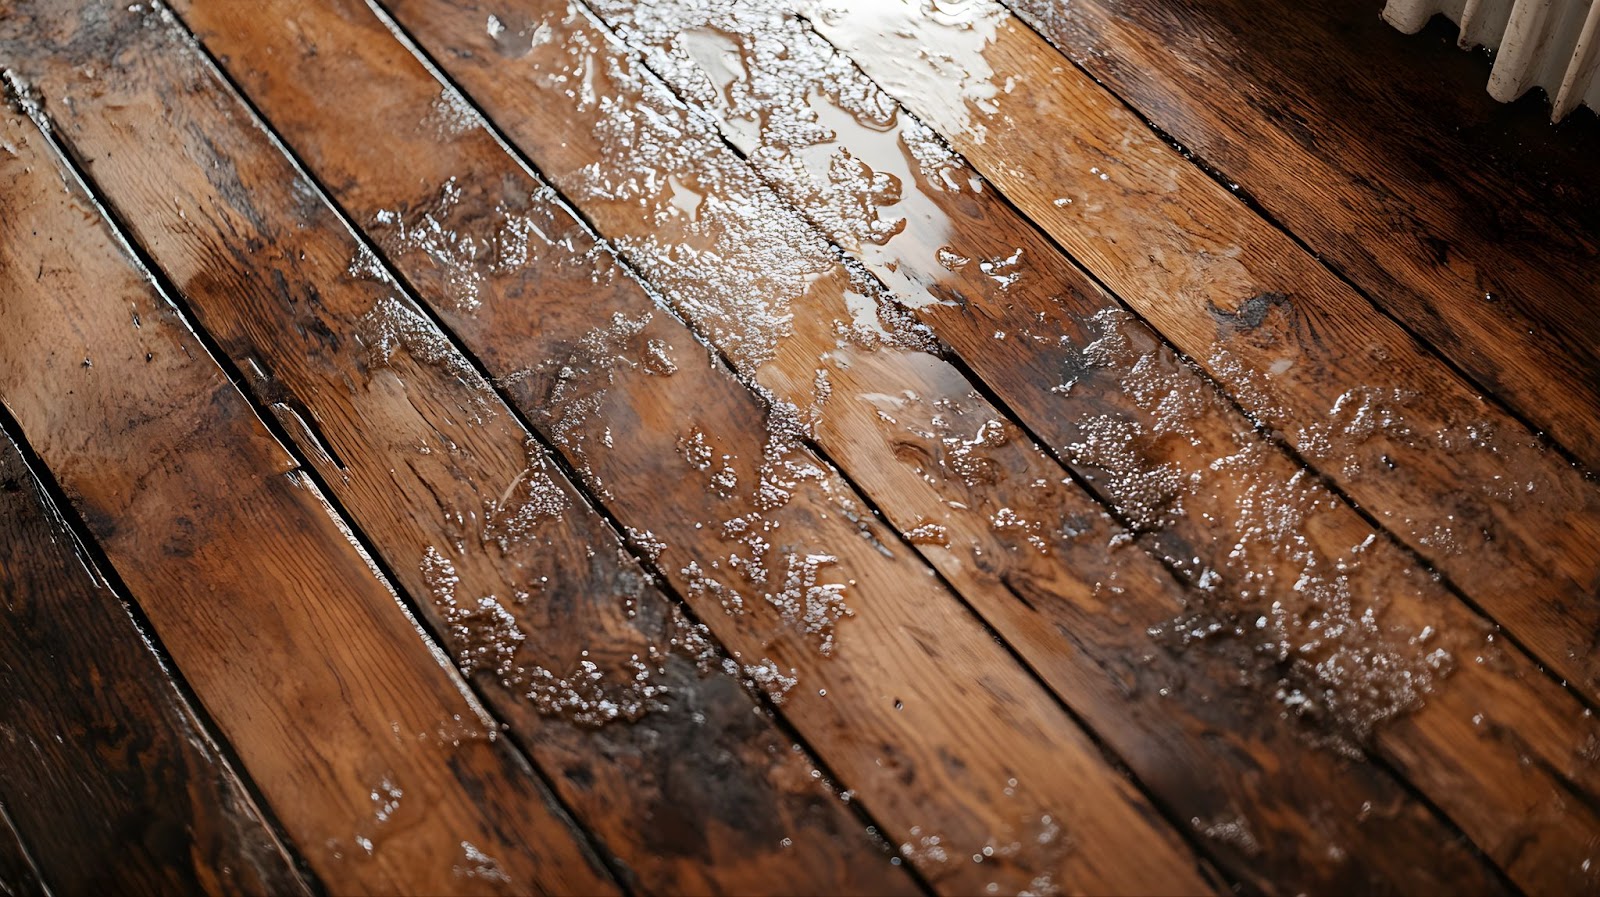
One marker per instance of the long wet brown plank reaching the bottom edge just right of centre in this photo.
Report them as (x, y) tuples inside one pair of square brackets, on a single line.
[(882, 714)]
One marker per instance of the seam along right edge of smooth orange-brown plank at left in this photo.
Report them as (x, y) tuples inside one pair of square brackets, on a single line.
[(588, 842)]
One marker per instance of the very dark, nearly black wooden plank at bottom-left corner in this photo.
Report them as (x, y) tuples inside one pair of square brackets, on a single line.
[(106, 771)]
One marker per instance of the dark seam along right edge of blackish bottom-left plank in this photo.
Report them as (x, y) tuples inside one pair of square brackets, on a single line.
[(95, 559)]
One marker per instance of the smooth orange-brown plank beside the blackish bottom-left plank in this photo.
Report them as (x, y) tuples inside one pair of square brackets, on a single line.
[(354, 727)]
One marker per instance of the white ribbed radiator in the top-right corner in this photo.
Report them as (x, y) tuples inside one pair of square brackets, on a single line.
[(1550, 44)]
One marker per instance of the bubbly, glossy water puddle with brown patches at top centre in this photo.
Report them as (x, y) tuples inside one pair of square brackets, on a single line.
[(794, 106)]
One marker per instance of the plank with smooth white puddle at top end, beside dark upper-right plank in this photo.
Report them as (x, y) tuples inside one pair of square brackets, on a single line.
[(1457, 479)]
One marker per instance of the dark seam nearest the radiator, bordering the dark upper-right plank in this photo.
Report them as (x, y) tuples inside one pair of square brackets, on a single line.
[(1215, 173)]
